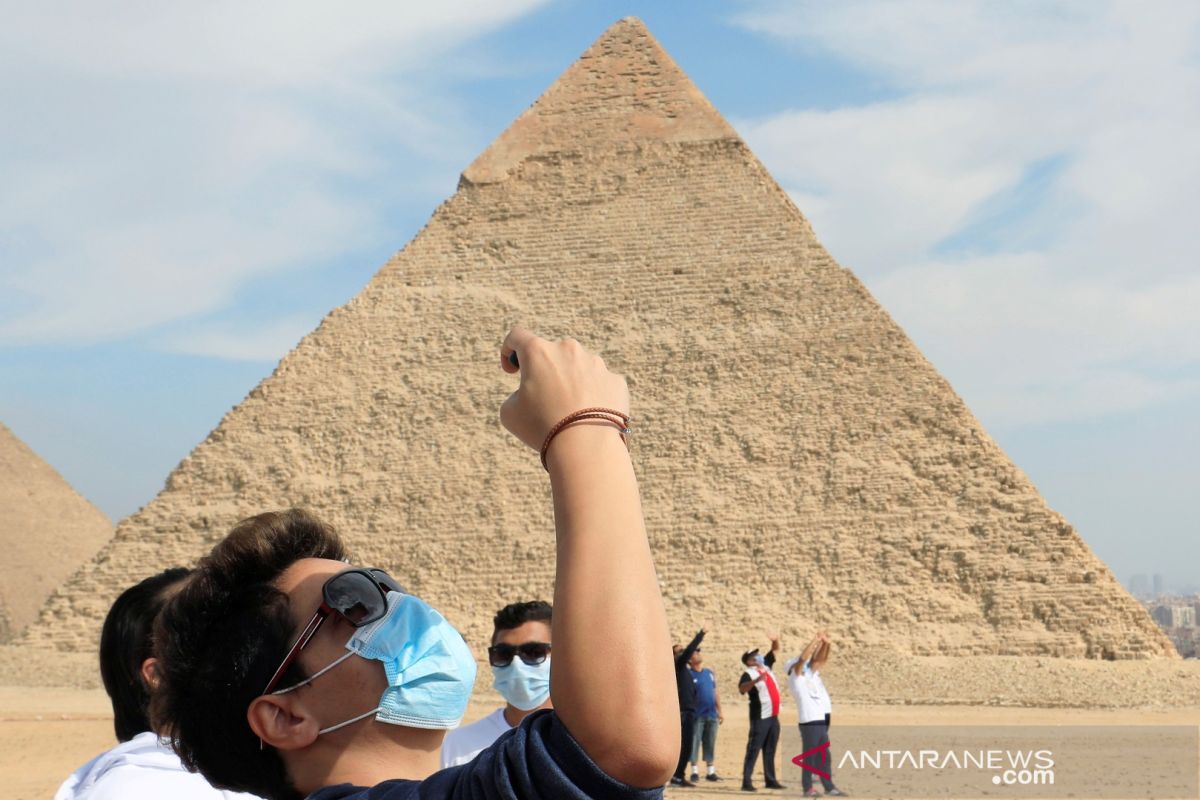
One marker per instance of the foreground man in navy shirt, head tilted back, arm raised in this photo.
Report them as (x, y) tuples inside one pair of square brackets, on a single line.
[(289, 673)]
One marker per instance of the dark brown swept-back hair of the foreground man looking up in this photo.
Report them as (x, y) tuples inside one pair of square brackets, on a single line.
[(220, 639)]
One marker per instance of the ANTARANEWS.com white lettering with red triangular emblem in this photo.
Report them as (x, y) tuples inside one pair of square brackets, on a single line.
[(1007, 767)]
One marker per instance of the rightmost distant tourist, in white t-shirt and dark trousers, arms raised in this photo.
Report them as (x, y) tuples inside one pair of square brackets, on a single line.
[(817, 713)]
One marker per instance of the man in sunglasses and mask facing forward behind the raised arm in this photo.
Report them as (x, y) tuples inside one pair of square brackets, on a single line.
[(520, 660)]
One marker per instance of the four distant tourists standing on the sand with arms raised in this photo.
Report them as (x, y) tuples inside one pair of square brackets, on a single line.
[(701, 715)]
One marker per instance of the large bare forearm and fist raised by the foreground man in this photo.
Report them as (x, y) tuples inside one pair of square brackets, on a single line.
[(610, 628)]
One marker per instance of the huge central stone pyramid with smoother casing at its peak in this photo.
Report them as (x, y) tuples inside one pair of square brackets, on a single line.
[(801, 462)]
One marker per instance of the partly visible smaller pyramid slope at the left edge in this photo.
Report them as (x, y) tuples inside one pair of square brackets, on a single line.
[(47, 532)]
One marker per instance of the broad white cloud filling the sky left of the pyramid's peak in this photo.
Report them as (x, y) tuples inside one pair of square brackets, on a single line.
[(159, 158)]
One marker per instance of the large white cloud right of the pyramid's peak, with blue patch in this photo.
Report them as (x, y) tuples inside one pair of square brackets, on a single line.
[(1024, 202)]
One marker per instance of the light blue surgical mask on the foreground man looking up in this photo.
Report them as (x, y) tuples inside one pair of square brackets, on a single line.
[(429, 666)]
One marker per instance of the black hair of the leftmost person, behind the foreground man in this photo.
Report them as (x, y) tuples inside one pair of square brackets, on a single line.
[(127, 642)]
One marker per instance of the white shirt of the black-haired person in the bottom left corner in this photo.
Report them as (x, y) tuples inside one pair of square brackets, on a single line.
[(143, 767)]
